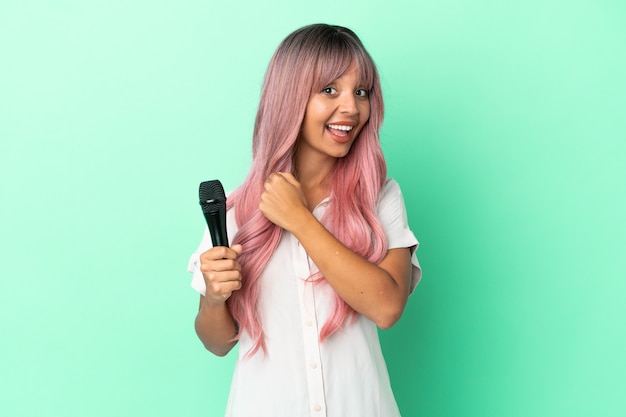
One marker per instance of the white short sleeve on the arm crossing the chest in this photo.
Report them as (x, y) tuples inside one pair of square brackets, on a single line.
[(393, 217)]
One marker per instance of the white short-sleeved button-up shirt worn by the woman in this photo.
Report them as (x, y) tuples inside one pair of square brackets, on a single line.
[(344, 376)]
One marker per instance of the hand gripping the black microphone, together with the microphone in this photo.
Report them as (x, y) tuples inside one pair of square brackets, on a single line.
[(219, 266)]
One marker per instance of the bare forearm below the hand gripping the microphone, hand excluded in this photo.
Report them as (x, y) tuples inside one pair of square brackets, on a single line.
[(216, 327)]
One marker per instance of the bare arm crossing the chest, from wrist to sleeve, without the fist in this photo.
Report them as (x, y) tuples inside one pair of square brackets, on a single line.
[(379, 292)]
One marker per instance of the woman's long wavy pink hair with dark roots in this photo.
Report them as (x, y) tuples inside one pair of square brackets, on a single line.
[(307, 61)]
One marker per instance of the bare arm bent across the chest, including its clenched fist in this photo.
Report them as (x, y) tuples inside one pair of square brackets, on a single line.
[(379, 292)]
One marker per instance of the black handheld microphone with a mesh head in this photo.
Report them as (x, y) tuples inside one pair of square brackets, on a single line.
[(213, 203)]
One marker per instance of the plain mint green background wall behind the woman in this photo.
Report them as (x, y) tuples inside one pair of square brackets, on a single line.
[(504, 126)]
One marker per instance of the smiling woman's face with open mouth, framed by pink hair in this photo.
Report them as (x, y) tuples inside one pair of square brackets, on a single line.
[(334, 117)]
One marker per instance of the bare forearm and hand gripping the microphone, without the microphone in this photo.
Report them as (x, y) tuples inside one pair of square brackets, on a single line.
[(214, 324)]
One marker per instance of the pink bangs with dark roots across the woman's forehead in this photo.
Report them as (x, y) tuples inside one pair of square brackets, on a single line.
[(334, 59)]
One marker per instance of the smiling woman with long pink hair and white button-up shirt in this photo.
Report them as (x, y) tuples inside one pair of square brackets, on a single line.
[(321, 252)]
